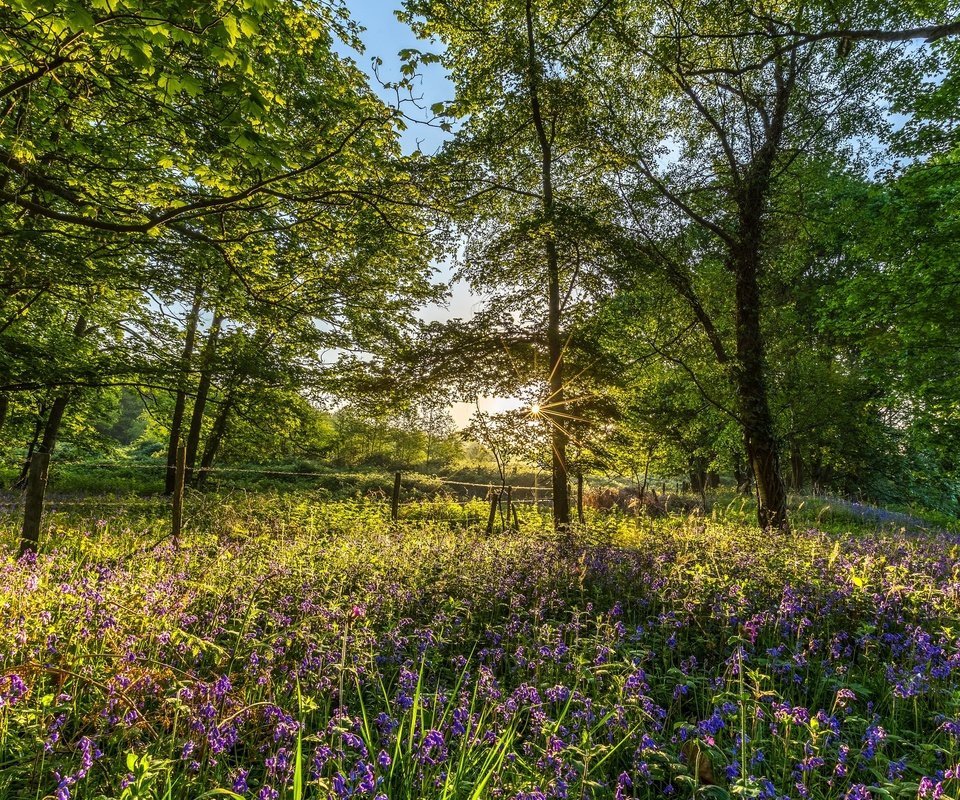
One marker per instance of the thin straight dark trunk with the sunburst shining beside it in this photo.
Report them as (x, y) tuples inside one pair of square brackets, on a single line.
[(556, 411)]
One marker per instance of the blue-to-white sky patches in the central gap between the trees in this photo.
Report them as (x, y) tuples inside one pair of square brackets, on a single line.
[(384, 37)]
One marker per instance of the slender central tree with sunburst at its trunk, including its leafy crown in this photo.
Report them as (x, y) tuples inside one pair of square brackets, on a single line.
[(518, 161)]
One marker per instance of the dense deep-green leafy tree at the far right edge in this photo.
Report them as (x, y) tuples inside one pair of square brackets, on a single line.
[(895, 308)]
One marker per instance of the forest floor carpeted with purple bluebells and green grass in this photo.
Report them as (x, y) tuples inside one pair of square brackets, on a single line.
[(288, 647)]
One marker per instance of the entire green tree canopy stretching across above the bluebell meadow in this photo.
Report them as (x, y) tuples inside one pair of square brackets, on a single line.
[(710, 238)]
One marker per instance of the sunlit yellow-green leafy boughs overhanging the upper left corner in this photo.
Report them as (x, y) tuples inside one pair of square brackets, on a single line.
[(106, 110)]
